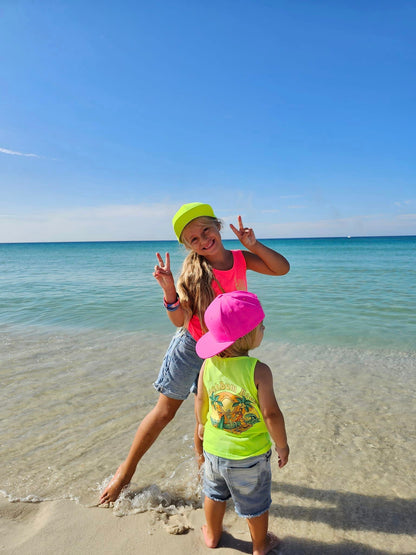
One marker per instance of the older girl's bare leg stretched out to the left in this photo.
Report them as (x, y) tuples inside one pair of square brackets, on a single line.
[(147, 432)]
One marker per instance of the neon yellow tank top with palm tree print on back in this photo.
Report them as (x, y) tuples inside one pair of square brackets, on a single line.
[(235, 428)]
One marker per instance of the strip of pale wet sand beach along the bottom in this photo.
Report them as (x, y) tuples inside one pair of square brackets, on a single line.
[(339, 523)]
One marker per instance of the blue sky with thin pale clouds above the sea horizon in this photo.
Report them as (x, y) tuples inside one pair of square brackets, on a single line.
[(298, 115)]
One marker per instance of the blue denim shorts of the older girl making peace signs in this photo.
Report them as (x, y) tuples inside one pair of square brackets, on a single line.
[(178, 375)]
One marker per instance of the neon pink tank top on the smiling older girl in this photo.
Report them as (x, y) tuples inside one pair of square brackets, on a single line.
[(234, 279)]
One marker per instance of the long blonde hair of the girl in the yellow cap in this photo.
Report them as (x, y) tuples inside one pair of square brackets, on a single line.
[(194, 283)]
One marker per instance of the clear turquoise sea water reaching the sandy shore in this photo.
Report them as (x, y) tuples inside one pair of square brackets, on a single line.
[(83, 332)]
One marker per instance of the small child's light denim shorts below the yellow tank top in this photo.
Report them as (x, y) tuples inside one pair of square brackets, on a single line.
[(247, 481)]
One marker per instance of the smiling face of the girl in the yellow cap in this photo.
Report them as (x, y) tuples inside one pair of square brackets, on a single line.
[(202, 235)]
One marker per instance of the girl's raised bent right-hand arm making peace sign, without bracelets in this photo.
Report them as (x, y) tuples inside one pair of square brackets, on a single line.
[(260, 258)]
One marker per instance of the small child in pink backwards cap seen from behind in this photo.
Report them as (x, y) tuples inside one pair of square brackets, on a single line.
[(237, 412)]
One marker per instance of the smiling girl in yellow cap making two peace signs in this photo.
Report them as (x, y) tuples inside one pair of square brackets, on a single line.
[(208, 270)]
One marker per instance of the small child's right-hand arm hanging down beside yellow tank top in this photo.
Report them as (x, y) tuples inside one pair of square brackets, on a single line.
[(271, 412)]
